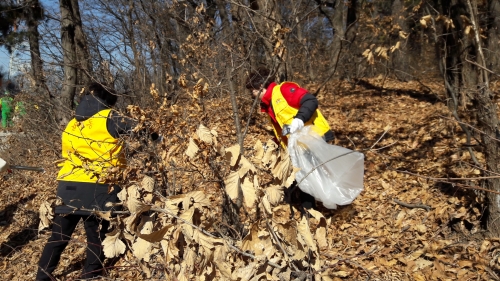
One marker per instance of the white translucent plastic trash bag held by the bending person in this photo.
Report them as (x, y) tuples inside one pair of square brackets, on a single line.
[(333, 182)]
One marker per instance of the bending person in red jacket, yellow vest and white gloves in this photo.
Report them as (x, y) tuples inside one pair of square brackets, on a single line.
[(288, 104)]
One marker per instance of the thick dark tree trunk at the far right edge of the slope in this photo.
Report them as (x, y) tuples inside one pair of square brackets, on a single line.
[(463, 65)]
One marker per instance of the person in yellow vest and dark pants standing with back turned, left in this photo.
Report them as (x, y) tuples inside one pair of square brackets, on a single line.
[(90, 146)]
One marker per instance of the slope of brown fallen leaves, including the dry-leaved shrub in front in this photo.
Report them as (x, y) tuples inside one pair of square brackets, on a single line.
[(201, 208)]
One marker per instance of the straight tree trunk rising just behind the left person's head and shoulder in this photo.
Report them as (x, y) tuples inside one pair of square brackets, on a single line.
[(69, 58)]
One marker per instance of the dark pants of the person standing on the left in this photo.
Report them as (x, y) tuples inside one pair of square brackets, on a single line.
[(62, 229)]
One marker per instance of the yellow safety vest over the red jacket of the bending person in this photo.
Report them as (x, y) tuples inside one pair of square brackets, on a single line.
[(284, 114)]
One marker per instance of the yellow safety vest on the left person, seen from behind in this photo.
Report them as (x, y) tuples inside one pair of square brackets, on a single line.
[(89, 150)]
